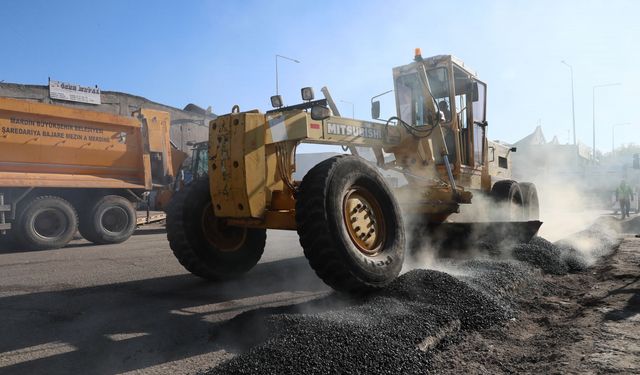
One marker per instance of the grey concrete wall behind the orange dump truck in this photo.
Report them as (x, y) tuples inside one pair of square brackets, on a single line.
[(186, 125)]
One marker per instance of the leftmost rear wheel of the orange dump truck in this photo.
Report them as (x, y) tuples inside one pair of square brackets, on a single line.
[(46, 222)]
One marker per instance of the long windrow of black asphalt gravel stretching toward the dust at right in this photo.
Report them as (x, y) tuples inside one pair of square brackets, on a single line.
[(395, 330)]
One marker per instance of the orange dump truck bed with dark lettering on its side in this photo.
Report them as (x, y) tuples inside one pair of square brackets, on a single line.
[(44, 145)]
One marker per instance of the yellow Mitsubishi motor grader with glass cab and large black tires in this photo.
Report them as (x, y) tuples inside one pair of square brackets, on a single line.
[(351, 223)]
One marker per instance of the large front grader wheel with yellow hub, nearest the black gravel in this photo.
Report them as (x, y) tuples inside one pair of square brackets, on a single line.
[(350, 225)]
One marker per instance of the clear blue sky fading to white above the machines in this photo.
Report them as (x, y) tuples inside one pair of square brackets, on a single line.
[(221, 53)]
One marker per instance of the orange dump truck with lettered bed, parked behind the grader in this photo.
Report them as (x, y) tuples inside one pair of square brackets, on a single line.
[(65, 169)]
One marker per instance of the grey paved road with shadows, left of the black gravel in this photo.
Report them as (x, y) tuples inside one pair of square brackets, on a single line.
[(132, 307)]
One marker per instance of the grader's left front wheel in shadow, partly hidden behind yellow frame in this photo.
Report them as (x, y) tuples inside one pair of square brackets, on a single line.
[(204, 244)]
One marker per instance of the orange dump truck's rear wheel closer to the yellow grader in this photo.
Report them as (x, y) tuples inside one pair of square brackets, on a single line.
[(110, 220)]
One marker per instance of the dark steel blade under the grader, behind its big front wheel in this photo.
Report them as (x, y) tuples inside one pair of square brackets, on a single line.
[(469, 235)]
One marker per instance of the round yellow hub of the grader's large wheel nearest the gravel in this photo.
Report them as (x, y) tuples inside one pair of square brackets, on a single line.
[(364, 221)]
